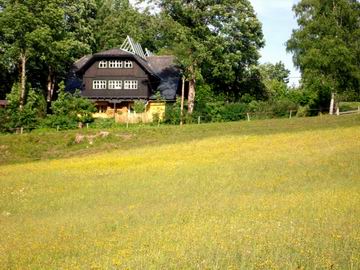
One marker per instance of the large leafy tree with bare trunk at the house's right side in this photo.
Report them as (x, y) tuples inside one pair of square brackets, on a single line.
[(220, 41)]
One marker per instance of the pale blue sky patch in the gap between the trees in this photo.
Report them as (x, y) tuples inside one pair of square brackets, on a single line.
[(278, 22)]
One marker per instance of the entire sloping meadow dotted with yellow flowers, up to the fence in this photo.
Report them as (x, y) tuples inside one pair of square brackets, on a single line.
[(273, 194)]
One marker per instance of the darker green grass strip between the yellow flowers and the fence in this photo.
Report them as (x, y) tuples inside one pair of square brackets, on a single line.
[(44, 145)]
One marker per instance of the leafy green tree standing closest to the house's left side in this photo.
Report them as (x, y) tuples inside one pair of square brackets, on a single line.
[(67, 35)]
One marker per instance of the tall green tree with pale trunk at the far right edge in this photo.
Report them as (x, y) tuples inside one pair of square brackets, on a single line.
[(326, 47)]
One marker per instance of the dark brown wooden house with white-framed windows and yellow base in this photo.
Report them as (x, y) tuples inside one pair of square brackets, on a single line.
[(116, 78)]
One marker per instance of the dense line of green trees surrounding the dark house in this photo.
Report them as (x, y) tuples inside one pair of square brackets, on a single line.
[(216, 43)]
